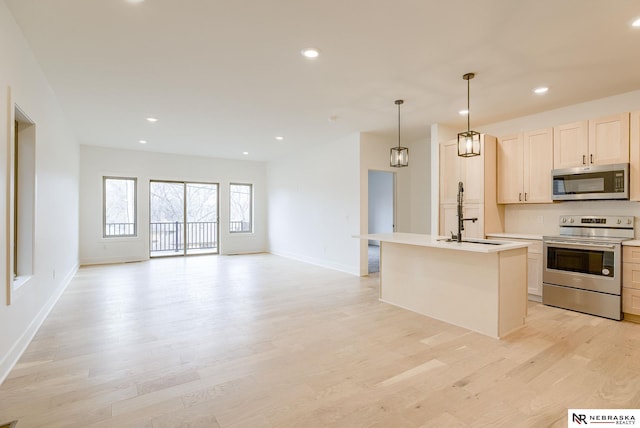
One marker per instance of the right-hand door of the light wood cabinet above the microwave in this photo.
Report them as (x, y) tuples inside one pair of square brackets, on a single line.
[(609, 140)]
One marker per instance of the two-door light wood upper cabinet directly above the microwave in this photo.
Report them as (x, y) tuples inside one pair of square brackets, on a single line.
[(594, 142)]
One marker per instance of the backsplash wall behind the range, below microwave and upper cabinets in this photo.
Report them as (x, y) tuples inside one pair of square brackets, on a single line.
[(542, 219)]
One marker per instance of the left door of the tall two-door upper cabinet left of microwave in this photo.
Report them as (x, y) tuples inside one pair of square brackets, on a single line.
[(510, 169)]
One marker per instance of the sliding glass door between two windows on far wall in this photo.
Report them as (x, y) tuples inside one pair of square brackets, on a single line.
[(183, 218)]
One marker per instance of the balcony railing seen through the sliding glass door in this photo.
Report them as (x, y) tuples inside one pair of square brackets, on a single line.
[(169, 236)]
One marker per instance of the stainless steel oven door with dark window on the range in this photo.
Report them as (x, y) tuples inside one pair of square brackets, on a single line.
[(584, 265)]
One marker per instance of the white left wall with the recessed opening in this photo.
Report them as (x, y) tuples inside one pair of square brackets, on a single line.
[(56, 211)]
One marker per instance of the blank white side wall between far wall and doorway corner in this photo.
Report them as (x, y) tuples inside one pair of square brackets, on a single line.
[(314, 205)]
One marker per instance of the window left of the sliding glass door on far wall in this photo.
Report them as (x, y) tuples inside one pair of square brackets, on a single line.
[(119, 207)]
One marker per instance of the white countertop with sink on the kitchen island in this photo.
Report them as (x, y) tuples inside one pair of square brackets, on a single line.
[(435, 241)]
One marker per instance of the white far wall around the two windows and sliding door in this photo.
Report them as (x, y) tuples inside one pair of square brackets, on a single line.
[(97, 162)]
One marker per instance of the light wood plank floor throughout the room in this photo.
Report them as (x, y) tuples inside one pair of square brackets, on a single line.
[(262, 341)]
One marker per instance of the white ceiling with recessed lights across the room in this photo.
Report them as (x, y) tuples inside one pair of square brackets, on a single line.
[(226, 76)]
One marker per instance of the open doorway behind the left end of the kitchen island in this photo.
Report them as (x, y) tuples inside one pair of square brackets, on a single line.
[(381, 212)]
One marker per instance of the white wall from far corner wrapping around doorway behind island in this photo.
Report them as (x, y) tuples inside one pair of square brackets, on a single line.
[(318, 199)]
